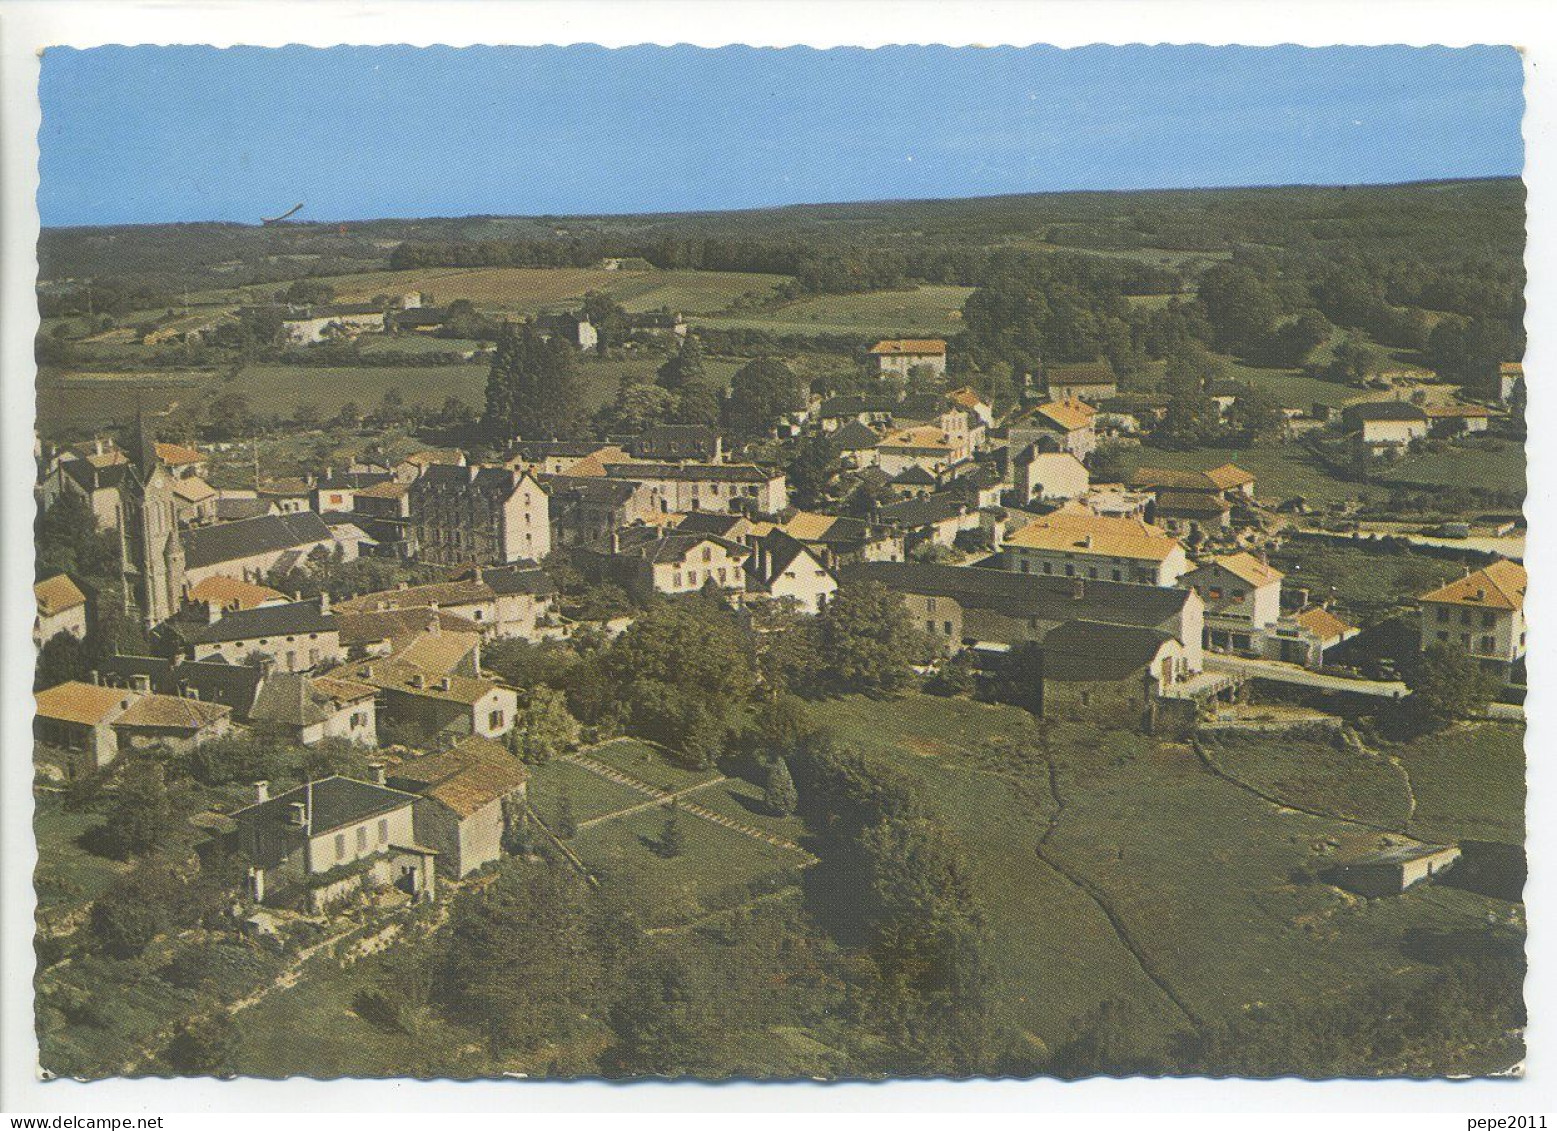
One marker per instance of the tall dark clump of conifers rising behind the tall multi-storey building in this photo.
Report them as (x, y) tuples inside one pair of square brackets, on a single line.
[(533, 389)]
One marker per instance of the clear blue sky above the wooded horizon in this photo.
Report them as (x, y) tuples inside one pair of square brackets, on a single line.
[(146, 135)]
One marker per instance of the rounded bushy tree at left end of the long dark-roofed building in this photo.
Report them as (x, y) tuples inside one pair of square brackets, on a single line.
[(868, 643)]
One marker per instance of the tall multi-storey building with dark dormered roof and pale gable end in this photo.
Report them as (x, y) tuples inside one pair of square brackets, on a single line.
[(474, 515)]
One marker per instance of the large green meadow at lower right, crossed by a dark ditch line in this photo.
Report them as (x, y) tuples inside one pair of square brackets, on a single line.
[(1200, 873)]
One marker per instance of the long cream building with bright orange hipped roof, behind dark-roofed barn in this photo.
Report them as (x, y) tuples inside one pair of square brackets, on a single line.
[(1075, 543)]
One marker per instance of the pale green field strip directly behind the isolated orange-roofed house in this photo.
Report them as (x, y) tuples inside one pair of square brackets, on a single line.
[(919, 312)]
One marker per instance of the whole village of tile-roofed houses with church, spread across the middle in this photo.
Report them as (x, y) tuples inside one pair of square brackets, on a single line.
[(368, 672)]
